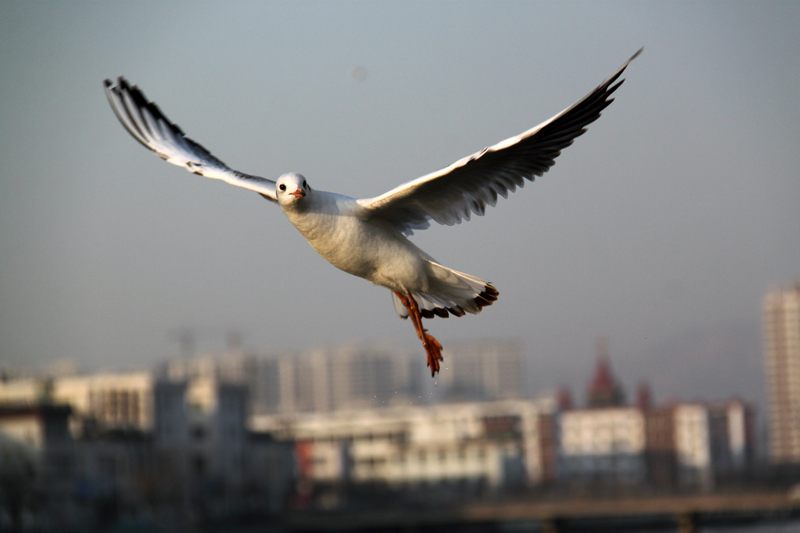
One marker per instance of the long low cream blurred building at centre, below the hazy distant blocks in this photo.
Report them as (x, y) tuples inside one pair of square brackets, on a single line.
[(461, 447)]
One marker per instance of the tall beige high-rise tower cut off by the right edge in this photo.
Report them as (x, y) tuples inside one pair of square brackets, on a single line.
[(781, 325)]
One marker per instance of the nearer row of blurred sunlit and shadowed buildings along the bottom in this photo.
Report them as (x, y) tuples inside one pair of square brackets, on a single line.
[(197, 433)]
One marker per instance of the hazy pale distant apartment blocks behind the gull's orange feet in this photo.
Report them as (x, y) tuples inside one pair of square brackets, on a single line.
[(361, 376)]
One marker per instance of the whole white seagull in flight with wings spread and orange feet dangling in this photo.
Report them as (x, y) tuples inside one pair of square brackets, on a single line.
[(368, 237)]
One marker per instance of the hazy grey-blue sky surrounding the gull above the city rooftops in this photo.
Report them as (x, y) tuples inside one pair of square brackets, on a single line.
[(661, 228)]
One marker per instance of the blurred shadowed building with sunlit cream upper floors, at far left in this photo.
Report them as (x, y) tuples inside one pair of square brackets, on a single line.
[(189, 454)]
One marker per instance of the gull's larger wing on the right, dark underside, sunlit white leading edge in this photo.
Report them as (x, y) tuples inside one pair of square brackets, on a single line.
[(450, 195)]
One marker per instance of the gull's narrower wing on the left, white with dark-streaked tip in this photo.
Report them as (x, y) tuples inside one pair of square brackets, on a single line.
[(148, 125)]
